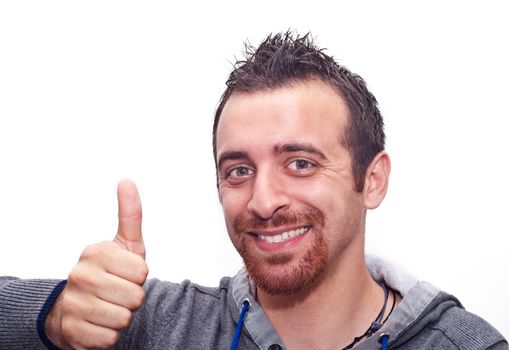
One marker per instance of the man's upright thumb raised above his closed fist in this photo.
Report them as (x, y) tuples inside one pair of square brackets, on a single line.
[(129, 218)]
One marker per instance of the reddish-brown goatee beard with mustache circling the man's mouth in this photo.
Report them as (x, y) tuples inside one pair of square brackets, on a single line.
[(283, 273)]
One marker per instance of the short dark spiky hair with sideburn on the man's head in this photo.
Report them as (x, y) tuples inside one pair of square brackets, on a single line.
[(286, 58)]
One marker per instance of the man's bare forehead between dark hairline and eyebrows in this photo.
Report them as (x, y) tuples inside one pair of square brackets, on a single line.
[(311, 112)]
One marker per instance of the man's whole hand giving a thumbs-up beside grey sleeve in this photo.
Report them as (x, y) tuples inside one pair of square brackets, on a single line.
[(105, 286)]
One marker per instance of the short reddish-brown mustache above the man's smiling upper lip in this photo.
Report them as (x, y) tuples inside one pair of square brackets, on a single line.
[(252, 223)]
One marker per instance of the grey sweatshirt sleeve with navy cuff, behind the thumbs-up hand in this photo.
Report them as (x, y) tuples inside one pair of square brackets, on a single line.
[(24, 305)]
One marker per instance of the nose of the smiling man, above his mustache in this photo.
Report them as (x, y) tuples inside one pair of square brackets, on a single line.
[(269, 195)]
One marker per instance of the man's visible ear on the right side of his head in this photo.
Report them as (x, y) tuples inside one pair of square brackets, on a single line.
[(376, 180)]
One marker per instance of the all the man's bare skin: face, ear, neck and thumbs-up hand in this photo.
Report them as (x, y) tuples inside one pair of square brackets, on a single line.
[(281, 154)]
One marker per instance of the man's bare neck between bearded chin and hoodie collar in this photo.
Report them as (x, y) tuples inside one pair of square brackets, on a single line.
[(330, 314)]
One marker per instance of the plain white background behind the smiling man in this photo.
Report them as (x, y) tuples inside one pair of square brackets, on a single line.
[(92, 92)]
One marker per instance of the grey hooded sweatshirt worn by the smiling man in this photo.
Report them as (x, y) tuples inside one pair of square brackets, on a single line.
[(189, 316)]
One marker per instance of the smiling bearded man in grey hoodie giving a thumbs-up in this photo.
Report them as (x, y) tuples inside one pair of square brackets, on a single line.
[(299, 149)]
